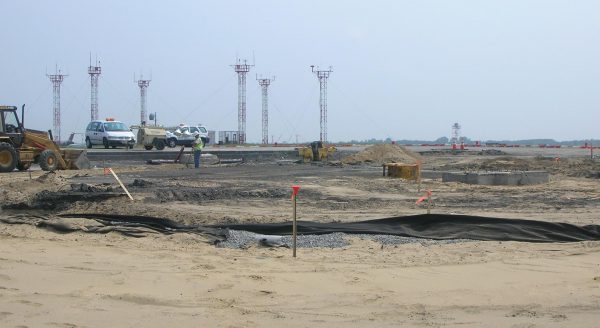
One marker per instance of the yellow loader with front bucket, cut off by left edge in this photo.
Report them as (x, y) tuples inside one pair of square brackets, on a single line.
[(20, 147)]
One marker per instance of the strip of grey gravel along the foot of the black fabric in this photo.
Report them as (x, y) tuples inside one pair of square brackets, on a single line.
[(245, 239)]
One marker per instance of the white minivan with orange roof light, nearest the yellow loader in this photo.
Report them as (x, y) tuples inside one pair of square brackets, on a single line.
[(109, 133)]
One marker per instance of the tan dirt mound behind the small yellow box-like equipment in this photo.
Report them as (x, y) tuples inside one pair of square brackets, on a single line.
[(385, 153)]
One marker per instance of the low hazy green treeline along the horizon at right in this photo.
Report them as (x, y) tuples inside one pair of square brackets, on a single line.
[(445, 140)]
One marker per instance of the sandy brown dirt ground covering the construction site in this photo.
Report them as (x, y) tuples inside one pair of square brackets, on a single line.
[(183, 280)]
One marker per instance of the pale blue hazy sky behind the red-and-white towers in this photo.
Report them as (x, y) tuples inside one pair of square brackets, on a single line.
[(402, 69)]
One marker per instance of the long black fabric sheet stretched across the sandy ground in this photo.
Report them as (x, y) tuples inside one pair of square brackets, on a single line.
[(430, 226)]
